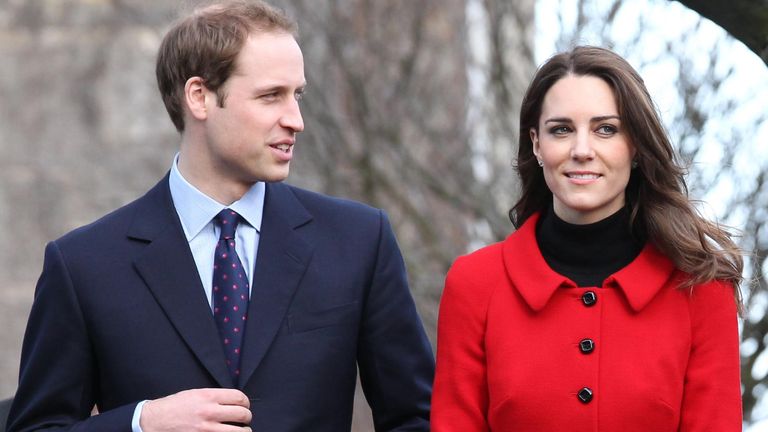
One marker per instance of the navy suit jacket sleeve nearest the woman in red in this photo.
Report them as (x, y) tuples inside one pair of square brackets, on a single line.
[(394, 355)]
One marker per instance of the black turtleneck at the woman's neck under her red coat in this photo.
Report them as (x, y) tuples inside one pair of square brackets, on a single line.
[(587, 254)]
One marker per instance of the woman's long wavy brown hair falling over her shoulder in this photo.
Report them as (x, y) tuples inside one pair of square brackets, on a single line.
[(656, 194)]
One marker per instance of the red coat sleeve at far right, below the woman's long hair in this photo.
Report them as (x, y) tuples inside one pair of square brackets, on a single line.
[(712, 393)]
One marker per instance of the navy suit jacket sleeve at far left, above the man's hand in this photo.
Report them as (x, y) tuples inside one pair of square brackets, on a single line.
[(57, 379)]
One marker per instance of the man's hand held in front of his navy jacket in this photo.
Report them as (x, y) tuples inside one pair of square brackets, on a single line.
[(198, 410)]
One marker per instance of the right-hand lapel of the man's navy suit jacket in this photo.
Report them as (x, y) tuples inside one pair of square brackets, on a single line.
[(281, 262)]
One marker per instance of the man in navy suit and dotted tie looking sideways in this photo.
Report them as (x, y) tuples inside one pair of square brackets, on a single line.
[(224, 300)]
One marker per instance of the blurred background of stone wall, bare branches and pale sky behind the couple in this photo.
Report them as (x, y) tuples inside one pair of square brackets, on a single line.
[(411, 106)]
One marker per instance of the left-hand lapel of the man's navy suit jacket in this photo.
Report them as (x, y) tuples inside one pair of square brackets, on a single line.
[(168, 268)]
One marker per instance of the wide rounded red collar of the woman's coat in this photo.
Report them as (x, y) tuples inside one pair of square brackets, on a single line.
[(536, 281)]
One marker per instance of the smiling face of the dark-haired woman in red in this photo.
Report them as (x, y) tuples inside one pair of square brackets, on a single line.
[(586, 153)]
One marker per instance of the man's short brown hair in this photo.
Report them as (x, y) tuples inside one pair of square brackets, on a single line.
[(206, 43)]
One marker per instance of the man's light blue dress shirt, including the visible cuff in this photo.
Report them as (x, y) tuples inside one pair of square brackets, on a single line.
[(196, 212)]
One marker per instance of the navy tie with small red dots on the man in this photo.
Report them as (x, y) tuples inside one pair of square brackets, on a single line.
[(230, 292)]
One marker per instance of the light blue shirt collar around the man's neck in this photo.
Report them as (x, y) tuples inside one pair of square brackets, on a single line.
[(196, 209)]
